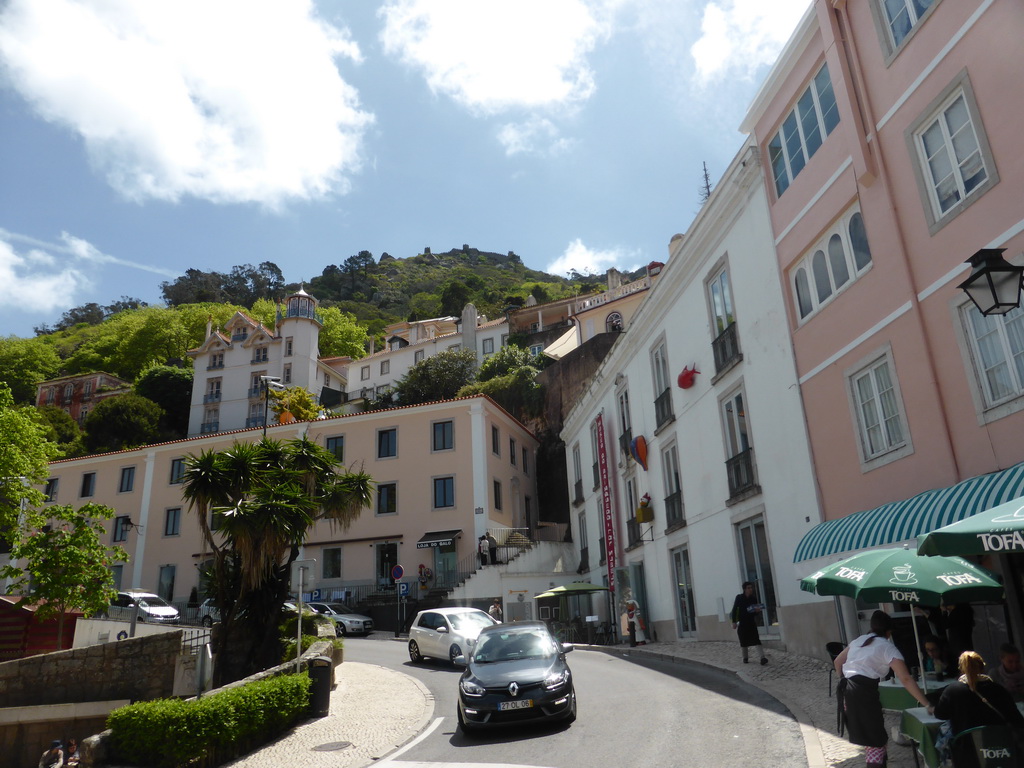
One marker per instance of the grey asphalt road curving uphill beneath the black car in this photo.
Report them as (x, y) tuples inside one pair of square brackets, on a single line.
[(652, 714)]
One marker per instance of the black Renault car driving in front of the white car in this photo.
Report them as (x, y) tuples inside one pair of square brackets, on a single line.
[(518, 673)]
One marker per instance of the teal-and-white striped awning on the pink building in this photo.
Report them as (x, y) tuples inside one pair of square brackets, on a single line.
[(902, 522)]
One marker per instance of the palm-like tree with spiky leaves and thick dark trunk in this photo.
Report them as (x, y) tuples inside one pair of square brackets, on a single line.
[(266, 497)]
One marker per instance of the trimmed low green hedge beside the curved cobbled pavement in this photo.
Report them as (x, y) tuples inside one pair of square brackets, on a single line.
[(173, 733)]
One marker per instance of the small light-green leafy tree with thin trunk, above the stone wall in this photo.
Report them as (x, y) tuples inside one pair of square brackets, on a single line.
[(66, 567)]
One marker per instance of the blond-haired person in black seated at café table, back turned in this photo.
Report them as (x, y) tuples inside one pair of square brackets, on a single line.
[(973, 701)]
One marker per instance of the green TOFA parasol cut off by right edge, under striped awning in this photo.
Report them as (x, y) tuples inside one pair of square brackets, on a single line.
[(998, 530)]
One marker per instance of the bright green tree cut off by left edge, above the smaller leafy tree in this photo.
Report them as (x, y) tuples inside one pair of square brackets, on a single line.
[(25, 456)]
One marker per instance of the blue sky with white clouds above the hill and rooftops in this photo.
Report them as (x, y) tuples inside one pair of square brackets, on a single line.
[(139, 140)]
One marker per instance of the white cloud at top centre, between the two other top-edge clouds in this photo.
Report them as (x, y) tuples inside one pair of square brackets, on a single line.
[(498, 56)]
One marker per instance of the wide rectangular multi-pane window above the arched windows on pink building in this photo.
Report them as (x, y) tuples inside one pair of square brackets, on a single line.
[(815, 117)]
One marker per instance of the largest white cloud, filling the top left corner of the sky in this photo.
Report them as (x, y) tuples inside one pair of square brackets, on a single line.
[(238, 101)]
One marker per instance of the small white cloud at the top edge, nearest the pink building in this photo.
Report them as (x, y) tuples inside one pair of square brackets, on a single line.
[(739, 37)]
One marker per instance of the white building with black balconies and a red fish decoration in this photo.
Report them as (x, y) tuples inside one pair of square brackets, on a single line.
[(729, 472)]
